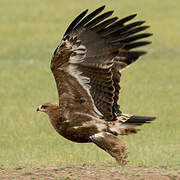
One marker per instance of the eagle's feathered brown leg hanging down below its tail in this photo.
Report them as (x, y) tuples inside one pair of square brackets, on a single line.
[(111, 144)]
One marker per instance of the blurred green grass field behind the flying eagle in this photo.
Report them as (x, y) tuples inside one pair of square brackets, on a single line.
[(30, 31)]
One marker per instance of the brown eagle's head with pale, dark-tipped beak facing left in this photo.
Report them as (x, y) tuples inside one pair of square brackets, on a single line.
[(48, 107)]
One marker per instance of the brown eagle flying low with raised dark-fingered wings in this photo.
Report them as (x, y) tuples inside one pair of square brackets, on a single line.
[(87, 67)]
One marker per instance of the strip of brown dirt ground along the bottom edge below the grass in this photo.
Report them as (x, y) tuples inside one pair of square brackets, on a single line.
[(88, 173)]
